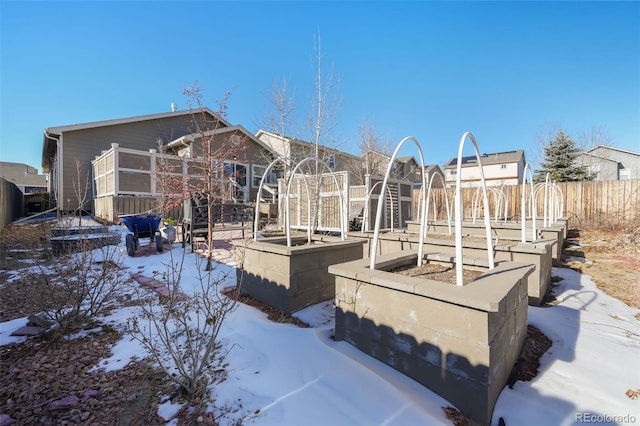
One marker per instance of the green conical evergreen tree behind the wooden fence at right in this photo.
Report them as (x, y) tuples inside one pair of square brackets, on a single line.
[(560, 161)]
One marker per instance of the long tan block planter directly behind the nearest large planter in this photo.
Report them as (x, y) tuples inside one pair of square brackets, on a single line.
[(538, 254)]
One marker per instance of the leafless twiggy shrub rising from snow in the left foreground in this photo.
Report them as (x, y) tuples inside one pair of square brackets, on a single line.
[(181, 331)]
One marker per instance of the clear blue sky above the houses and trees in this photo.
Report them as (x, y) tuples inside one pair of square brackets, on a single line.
[(506, 71)]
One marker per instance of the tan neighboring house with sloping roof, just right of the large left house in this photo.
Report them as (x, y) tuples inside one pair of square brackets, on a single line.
[(297, 150)]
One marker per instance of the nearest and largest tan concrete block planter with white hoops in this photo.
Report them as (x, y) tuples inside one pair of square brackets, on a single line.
[(459, 341)]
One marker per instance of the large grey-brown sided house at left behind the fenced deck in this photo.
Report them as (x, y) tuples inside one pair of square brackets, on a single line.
[(64, 145)]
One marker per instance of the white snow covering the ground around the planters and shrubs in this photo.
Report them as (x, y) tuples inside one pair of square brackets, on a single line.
[(279, 374)]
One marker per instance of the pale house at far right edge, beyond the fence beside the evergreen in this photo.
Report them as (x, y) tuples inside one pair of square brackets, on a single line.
[(610, 163)]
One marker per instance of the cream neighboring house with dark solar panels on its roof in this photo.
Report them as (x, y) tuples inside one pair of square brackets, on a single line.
[(500, 168)]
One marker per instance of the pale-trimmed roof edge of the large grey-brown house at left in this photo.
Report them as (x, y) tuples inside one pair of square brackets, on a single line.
[(51, 134)]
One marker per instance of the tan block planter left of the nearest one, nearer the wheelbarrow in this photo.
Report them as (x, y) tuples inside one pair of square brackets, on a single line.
[(292, 278)]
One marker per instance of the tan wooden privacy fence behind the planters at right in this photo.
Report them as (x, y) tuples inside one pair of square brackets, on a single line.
[(598, 203)]
